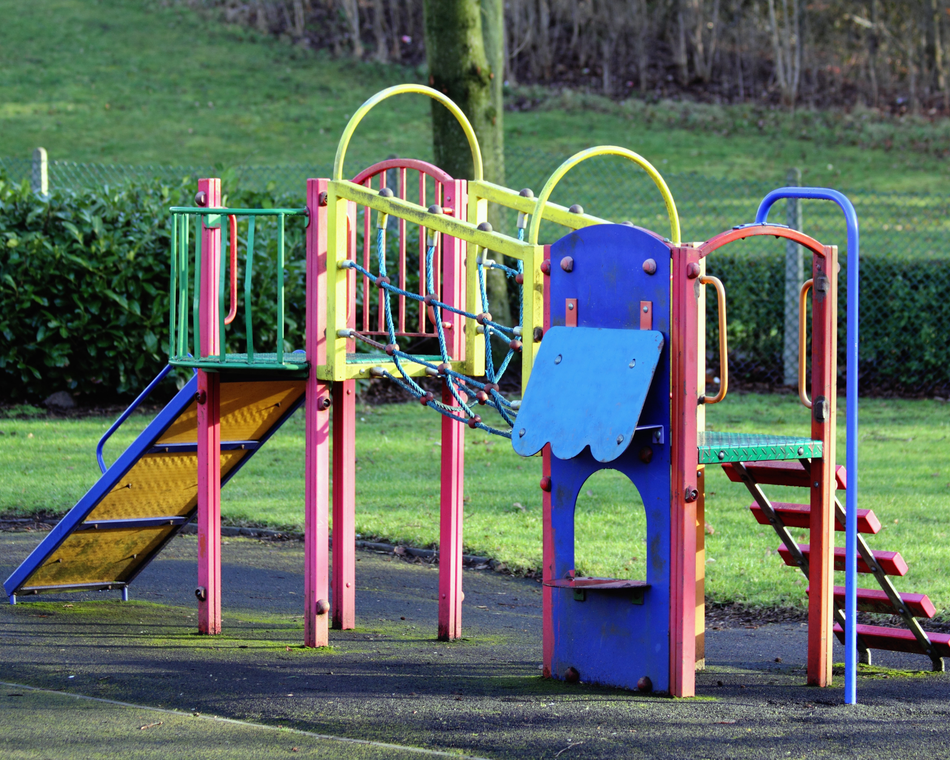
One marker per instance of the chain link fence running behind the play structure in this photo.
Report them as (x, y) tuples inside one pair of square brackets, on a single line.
[(905, 264)]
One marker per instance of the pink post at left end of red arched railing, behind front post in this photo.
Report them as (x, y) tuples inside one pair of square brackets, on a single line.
[(343, 577)]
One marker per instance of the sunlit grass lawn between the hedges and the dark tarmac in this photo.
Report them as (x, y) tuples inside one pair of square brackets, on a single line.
[(904, 478)]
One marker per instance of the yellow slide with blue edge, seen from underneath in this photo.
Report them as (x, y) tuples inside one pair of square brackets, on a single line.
[(150, 492)]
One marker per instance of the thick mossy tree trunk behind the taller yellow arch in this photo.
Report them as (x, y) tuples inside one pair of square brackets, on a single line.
[(466, 63)]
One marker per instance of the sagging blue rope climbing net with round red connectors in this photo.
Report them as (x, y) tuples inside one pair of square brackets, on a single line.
[(463, 388)]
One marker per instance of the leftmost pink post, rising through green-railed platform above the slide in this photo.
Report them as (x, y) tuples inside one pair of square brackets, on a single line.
[(209, 427)]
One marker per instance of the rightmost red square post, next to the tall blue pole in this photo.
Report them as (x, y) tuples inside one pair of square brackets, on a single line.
[(824, 348)]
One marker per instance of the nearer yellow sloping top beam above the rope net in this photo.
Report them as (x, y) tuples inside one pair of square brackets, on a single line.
[(447, 225)]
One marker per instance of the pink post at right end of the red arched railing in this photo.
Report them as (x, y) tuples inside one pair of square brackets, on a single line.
[(453, 434)]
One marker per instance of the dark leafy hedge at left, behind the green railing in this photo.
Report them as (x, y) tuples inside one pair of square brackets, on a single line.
[(84, 288)]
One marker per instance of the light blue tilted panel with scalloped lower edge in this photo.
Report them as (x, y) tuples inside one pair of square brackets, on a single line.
[(587, 388)]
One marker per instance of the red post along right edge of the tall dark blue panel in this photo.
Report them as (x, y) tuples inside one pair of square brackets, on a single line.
[(684, 344)]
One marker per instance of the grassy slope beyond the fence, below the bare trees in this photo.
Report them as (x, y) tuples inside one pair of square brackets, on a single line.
[(131, 82)]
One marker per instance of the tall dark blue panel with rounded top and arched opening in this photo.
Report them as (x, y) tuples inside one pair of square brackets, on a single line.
[(606, 637)]
